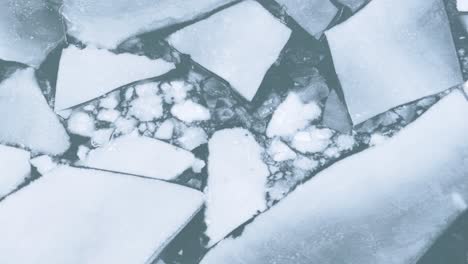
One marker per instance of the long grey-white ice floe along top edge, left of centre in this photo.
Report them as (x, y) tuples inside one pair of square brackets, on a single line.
[(108, 23)]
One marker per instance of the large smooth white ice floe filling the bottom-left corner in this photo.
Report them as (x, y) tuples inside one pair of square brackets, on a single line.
[(75, 216)]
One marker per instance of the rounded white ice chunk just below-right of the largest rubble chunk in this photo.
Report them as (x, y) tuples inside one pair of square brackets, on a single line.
[(312, 140)]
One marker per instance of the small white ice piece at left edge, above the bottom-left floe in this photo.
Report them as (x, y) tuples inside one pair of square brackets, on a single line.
[(14, 167)]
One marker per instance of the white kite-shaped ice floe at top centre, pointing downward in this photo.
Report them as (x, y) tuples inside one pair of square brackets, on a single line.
[(232, 44)]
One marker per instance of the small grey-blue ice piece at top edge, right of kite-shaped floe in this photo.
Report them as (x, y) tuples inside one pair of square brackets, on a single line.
[(313, 15)]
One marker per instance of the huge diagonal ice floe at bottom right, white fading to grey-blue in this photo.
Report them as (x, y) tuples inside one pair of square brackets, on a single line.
[(384, 205)]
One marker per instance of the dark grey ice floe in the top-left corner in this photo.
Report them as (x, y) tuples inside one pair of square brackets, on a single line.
[(29, 30)]
